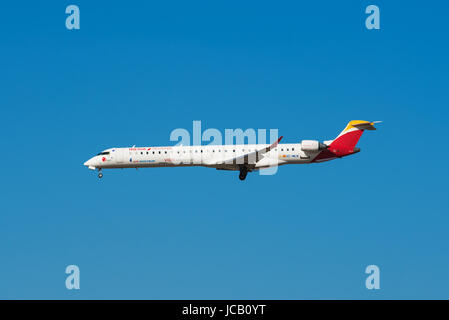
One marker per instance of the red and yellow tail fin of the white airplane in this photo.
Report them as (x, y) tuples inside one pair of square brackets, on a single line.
[(346, 141)]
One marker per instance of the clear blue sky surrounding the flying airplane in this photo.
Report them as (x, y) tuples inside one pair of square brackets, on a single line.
[(137, 70)]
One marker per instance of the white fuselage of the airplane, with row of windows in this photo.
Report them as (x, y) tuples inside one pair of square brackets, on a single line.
[(216, 156)]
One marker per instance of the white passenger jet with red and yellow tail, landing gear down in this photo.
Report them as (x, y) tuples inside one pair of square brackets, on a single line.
[(242, 158)]
